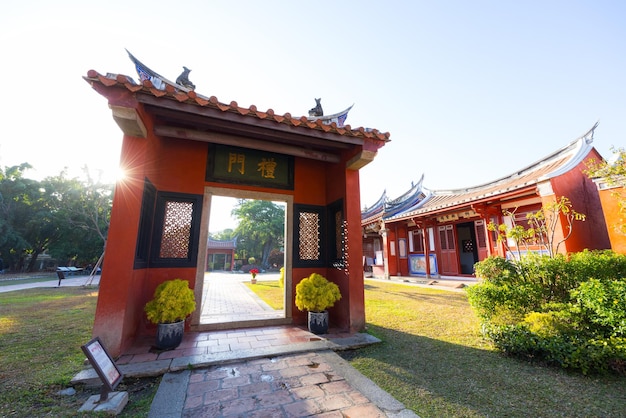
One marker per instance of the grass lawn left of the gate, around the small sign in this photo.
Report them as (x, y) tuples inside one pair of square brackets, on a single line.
[(41, 331)]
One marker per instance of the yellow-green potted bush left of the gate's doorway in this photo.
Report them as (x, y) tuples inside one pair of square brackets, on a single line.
[(173, 302)]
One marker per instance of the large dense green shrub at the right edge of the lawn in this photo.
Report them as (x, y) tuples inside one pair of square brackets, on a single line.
[(559, 311)]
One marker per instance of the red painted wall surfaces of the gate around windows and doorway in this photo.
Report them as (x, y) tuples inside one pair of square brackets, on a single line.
[(175, 165)]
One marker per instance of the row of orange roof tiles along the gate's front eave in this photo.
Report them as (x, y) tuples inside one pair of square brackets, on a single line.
[(191, 97)]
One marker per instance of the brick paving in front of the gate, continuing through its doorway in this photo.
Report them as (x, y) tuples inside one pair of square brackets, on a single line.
[(269, 372)]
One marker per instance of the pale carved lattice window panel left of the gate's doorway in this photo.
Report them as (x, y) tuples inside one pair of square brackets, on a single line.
[(176, 233)]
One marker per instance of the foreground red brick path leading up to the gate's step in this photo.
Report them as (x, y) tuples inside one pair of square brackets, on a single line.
[(296, 385)]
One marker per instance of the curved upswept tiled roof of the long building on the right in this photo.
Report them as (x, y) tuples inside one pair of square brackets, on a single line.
[(549, 167)]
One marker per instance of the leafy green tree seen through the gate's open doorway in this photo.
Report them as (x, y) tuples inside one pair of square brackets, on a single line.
[(261, 228)]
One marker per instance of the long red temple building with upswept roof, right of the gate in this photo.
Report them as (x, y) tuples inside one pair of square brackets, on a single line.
[(432, 233)]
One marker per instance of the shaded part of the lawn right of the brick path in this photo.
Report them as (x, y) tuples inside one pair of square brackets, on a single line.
[(436, 378)]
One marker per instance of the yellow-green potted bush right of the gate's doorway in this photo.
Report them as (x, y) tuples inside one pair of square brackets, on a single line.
[(315, 294)]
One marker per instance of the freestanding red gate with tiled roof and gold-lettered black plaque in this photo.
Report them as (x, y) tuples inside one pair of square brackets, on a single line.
[(180, 149)]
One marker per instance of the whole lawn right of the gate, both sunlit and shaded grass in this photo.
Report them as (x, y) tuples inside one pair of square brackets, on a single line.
[(434, 360)]
